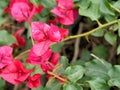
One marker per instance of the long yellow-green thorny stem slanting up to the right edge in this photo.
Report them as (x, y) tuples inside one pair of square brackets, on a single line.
[(91, 31)]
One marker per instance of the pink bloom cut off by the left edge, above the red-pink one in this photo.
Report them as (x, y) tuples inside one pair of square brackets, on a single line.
[(6, 57)]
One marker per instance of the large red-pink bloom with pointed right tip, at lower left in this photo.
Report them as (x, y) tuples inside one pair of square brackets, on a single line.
[(15, 73)]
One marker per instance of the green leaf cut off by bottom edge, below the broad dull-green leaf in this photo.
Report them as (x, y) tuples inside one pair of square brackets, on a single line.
[(98, 84)]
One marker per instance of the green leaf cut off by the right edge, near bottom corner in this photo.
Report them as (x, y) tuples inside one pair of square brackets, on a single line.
[(114, 74)]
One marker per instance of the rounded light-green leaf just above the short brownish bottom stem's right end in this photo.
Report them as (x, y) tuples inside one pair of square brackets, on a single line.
[(75, 72)]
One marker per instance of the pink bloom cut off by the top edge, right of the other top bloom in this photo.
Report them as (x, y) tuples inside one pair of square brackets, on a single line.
[(64, 11)]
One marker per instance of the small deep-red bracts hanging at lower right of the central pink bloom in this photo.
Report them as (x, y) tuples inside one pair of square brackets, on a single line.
[(52, 63)]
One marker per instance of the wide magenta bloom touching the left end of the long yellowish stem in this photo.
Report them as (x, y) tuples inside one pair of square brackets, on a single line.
[(42, 32)]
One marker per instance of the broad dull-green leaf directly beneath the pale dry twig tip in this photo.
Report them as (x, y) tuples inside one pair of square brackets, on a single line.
[(96, 68)]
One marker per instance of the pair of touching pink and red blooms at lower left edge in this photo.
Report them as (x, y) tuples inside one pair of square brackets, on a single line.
[(12, 70)]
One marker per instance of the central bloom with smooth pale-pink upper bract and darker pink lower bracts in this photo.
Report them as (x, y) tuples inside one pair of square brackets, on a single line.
[(39, 53)]
